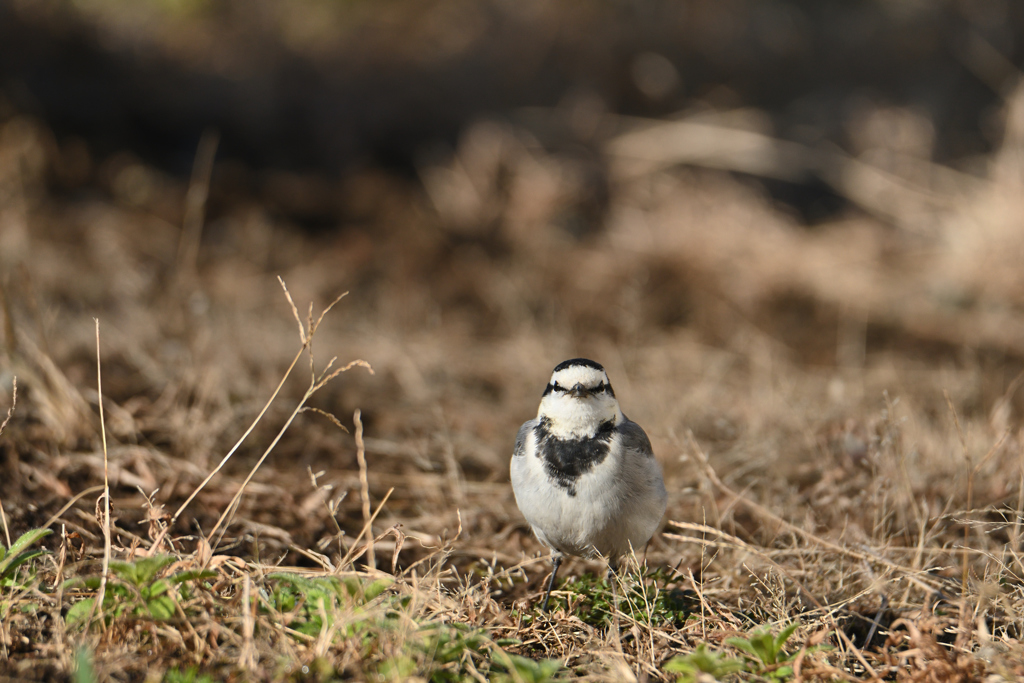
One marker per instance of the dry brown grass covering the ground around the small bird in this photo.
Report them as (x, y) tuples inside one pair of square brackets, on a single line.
[(838, 412)]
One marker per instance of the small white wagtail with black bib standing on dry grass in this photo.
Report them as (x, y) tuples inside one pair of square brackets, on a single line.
[(584, 476)]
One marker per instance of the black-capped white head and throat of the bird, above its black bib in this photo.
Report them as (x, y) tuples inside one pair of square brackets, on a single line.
[(578, 400)]
